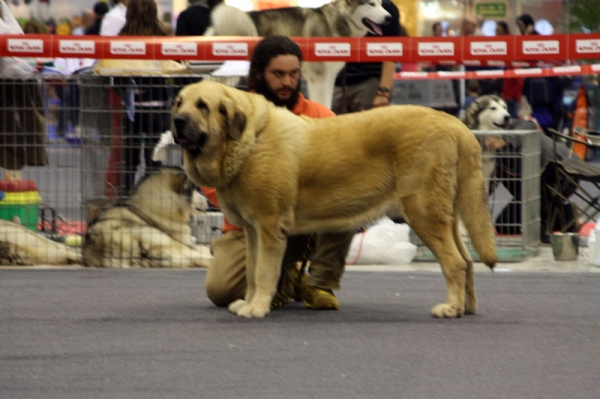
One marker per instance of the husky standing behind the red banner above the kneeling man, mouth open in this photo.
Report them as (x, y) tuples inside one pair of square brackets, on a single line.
[(343, 18)]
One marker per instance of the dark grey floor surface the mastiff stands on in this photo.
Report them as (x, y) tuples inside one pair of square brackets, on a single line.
[(94, 333)]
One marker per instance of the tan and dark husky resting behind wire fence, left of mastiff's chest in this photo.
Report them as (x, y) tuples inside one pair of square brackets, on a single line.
[(150, 229)]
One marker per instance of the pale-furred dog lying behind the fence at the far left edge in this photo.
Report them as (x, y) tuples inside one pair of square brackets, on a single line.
[(20, 246)]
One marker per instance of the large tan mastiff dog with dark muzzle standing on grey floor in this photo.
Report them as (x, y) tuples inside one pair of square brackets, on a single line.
[(278, 174)]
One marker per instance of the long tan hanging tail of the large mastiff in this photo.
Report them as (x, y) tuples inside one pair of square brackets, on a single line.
[(472, 202)]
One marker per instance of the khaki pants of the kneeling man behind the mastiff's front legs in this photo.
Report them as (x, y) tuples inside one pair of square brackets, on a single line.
[(226, 276)]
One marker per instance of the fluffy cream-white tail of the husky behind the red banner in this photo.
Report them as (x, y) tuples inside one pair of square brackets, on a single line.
[(230, 21)]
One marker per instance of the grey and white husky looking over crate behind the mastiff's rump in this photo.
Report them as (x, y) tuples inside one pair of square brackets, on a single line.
[(488, 113)]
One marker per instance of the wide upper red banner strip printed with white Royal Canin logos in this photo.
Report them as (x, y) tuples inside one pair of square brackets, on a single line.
[(512, 51)]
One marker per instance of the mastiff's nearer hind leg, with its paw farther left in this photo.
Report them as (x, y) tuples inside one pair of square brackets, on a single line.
[(435, 227)]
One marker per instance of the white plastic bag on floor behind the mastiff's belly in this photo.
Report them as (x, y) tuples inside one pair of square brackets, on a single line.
[(385, 243)]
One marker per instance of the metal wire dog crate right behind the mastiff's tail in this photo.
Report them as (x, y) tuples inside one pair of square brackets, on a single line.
[(514, 199)]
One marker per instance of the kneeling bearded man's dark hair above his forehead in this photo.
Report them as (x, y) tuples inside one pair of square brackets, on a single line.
[(267, 49)]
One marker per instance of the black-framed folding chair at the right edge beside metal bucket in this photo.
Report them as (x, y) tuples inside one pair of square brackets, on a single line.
[(561, 185)]
